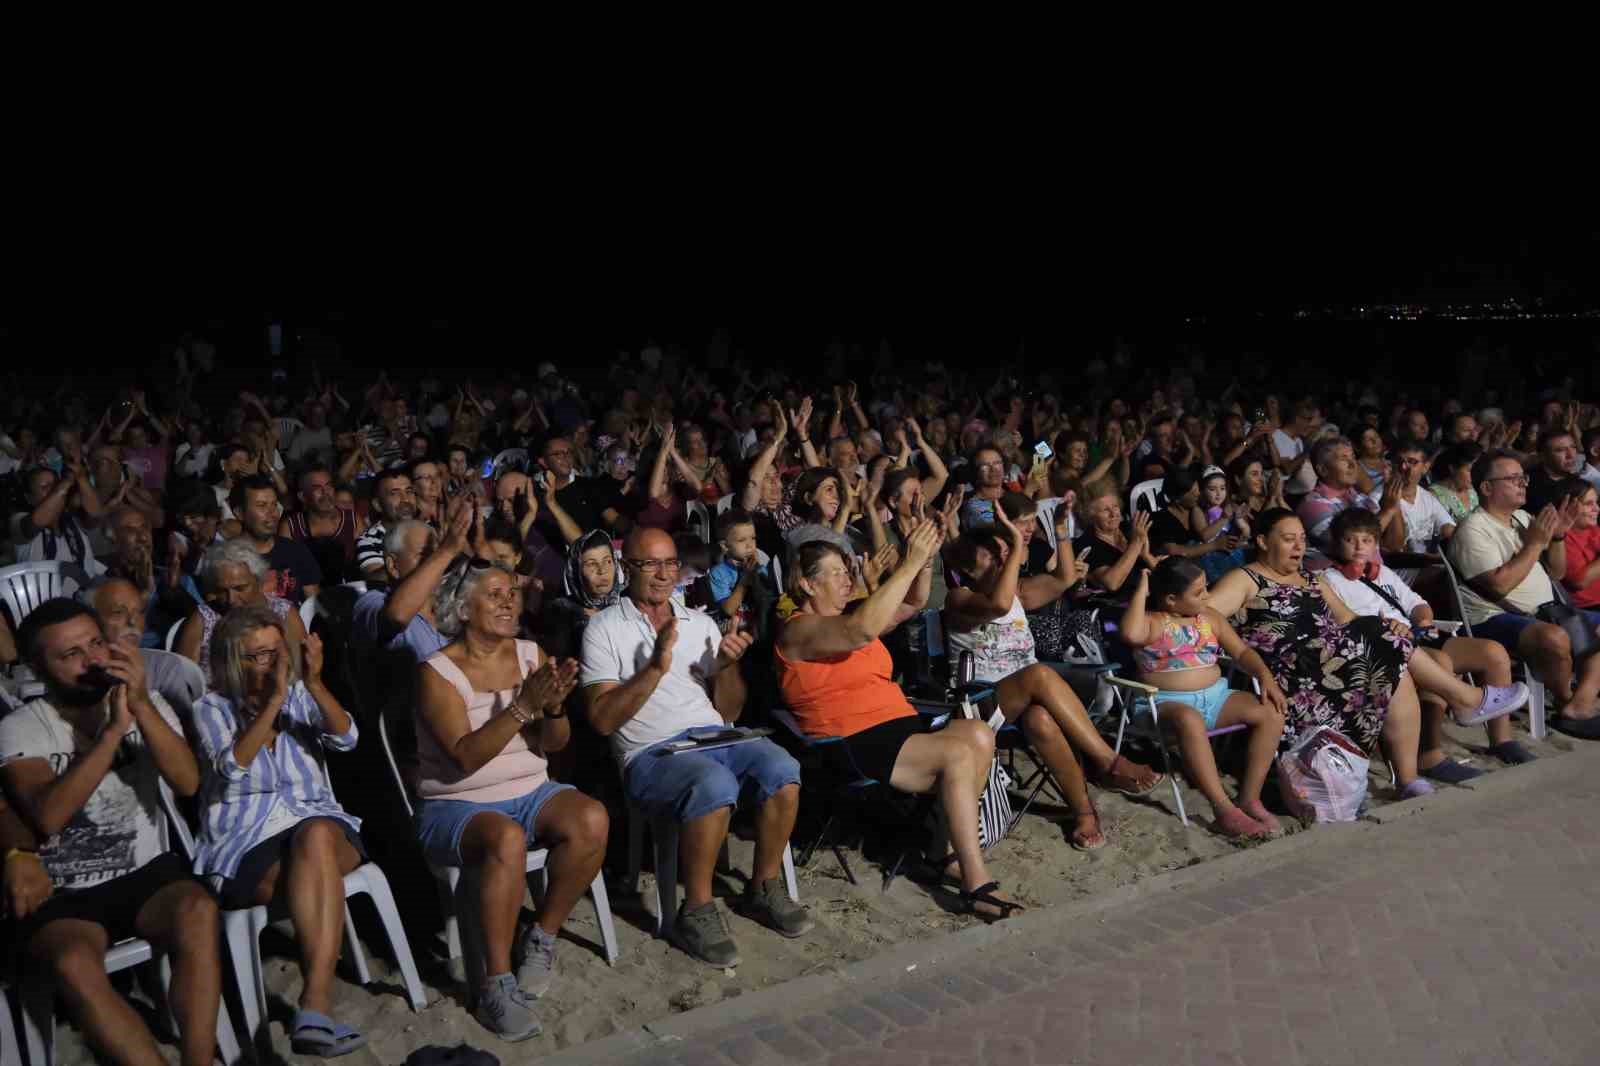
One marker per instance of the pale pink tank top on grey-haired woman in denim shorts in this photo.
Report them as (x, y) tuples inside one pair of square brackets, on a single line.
[(516, 772)]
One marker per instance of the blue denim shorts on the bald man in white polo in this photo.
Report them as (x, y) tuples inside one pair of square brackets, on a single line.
[(689, 785)]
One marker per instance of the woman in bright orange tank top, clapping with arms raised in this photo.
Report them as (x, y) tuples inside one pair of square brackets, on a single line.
[(834, 676)]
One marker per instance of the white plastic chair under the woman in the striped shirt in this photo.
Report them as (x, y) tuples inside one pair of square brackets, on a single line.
[(242, 931)]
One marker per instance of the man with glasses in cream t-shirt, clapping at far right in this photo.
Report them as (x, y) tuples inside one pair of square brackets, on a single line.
[(1497, 551)]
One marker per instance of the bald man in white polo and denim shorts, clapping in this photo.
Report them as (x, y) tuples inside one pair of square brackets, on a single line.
[(657, 673)]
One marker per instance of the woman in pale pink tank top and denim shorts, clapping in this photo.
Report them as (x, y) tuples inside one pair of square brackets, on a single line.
[(490, 707)]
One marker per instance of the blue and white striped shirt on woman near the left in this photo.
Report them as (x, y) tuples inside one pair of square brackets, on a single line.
[(238, 803)]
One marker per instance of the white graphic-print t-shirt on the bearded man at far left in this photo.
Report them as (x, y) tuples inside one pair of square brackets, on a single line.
[(121, 828)]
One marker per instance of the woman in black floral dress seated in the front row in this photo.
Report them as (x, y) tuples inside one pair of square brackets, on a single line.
[(1335, 670)]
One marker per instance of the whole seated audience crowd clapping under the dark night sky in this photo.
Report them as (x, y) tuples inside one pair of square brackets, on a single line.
[(542, 595)]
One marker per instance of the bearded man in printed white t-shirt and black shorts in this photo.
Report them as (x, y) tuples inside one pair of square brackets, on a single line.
[(81, 764)]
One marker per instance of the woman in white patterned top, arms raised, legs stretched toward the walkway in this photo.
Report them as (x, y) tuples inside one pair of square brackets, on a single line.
[(986, 617)]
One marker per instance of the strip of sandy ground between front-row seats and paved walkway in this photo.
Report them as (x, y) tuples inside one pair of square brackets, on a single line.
[(854, 923)]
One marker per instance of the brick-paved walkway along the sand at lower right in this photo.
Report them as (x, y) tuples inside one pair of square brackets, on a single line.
[(1463, 932)]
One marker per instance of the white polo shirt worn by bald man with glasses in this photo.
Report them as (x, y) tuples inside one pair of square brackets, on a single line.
[(620, 641)]
